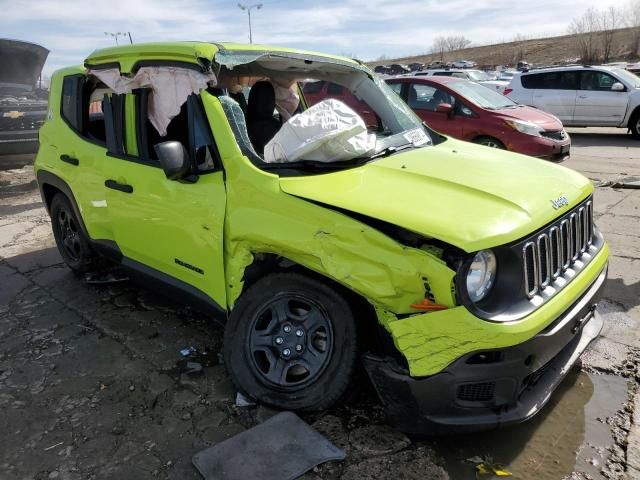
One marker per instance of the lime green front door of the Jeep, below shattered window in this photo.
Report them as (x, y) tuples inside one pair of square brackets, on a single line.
[(166, 228)]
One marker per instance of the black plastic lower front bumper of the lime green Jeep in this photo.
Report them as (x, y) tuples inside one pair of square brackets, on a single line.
[(493, 388)]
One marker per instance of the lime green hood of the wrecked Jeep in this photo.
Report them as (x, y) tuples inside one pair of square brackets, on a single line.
[(464, 194)]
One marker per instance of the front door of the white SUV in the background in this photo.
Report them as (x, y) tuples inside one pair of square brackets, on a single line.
[(596, 103)]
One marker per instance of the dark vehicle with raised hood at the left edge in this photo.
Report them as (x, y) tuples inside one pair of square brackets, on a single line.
[(23, 105)]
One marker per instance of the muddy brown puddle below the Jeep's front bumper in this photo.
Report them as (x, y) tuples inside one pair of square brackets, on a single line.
[(568, 435)]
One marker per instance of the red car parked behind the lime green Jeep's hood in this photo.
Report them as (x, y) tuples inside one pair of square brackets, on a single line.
[(469, 111)]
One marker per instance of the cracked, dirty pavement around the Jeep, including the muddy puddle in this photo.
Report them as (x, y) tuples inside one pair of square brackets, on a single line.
[(93, 386)]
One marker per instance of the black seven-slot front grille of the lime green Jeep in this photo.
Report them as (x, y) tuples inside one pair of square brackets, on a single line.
[(557, 248)]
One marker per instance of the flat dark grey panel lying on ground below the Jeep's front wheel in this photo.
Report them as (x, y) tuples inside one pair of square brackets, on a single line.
[(282, 448)]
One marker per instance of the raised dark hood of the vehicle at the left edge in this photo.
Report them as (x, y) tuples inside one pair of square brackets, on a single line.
[(21, 62)]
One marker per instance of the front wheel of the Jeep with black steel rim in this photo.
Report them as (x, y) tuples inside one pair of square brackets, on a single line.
[(307, 317)]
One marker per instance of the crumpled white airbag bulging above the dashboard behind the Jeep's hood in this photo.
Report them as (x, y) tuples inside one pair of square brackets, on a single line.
[(329, 131)]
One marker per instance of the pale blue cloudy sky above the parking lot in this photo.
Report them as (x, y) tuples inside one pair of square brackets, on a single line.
[(365, 29)]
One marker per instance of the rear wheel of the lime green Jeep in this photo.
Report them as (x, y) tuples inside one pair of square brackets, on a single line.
[(72, 243)]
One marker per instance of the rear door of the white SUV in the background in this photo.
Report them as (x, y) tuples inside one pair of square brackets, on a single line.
[(554, 92)]
